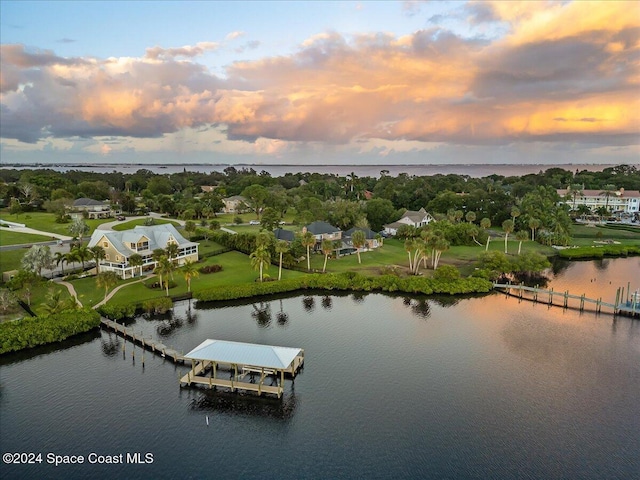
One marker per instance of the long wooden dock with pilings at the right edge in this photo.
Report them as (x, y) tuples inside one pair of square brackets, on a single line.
[(568, 300)]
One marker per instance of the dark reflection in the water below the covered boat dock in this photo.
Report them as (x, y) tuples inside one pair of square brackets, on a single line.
[(245, 404)]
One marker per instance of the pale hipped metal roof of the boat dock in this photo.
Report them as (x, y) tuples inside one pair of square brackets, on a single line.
[(239, 353)]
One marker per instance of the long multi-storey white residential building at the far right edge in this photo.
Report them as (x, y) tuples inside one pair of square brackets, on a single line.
[(619, 201)]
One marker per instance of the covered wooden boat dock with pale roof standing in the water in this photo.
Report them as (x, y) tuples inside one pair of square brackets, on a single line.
[(237, 361)]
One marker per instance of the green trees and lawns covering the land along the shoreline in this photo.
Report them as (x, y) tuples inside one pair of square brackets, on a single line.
[(483, 229)]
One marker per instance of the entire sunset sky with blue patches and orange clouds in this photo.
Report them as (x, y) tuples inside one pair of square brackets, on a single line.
[(370, 82)]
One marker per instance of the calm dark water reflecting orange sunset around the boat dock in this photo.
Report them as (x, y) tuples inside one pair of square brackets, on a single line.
[(393, 387)]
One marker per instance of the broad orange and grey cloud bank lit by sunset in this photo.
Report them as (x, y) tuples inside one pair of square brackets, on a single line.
[(577, 82)]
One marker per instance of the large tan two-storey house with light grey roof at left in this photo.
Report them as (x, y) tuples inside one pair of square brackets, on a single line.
[(119, 246)]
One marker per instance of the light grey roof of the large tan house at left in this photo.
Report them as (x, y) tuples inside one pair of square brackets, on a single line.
[(158, 236)]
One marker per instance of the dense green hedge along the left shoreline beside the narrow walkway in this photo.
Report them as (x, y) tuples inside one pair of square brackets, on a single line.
[(33, 331)]
